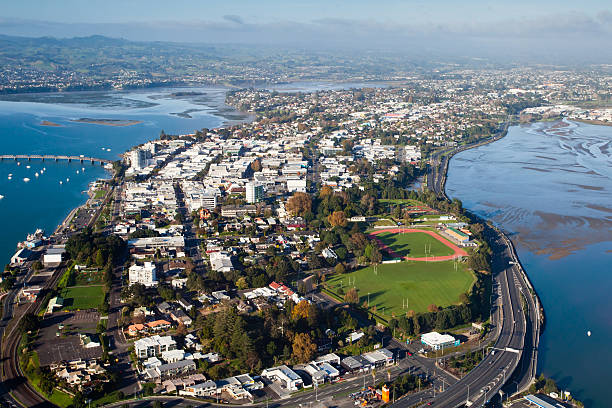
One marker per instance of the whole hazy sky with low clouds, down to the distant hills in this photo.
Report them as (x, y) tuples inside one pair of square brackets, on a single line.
[(473, 27)]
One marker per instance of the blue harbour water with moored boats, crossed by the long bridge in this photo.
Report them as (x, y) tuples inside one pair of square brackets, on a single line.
[(43, 202)]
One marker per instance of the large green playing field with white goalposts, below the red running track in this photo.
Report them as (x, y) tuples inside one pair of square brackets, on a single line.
[(422, 283)]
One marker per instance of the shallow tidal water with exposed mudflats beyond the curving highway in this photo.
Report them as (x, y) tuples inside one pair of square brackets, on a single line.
[(550, 185)]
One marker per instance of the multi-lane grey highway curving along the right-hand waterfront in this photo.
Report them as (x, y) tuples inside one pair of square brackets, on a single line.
[(516, 345)]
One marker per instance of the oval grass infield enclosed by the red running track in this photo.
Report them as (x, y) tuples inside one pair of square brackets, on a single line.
[(413, 244)]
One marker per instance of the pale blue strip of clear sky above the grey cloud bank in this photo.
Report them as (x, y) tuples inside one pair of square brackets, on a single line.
[(265, 11)]
